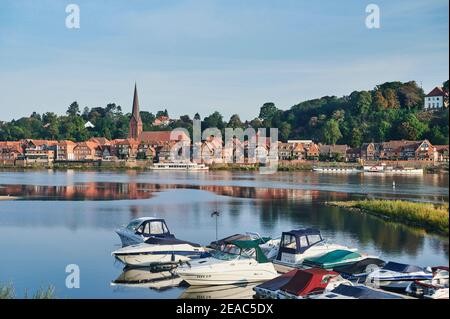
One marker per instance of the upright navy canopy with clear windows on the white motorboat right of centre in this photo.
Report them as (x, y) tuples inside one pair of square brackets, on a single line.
[(298, 241)]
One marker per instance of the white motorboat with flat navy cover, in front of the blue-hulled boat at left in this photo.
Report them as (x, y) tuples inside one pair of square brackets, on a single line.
[(157, 251)]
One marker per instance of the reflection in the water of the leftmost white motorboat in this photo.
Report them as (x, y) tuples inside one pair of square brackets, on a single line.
[(145, 278)]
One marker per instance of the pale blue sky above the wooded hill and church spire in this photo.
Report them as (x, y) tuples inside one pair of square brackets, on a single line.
[(203, 55)]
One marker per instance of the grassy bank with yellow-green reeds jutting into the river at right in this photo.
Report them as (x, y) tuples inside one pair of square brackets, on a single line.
[(432, 217)]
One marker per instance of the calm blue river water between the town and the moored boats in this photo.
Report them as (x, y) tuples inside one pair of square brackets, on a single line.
[(69, 218)]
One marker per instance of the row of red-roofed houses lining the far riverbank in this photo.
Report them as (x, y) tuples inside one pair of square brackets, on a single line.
[(159, 146)]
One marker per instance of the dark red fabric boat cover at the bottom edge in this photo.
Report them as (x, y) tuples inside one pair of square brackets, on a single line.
[(308, 281)]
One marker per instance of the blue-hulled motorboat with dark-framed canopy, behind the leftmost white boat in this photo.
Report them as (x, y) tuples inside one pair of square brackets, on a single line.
[(140, 229)]
